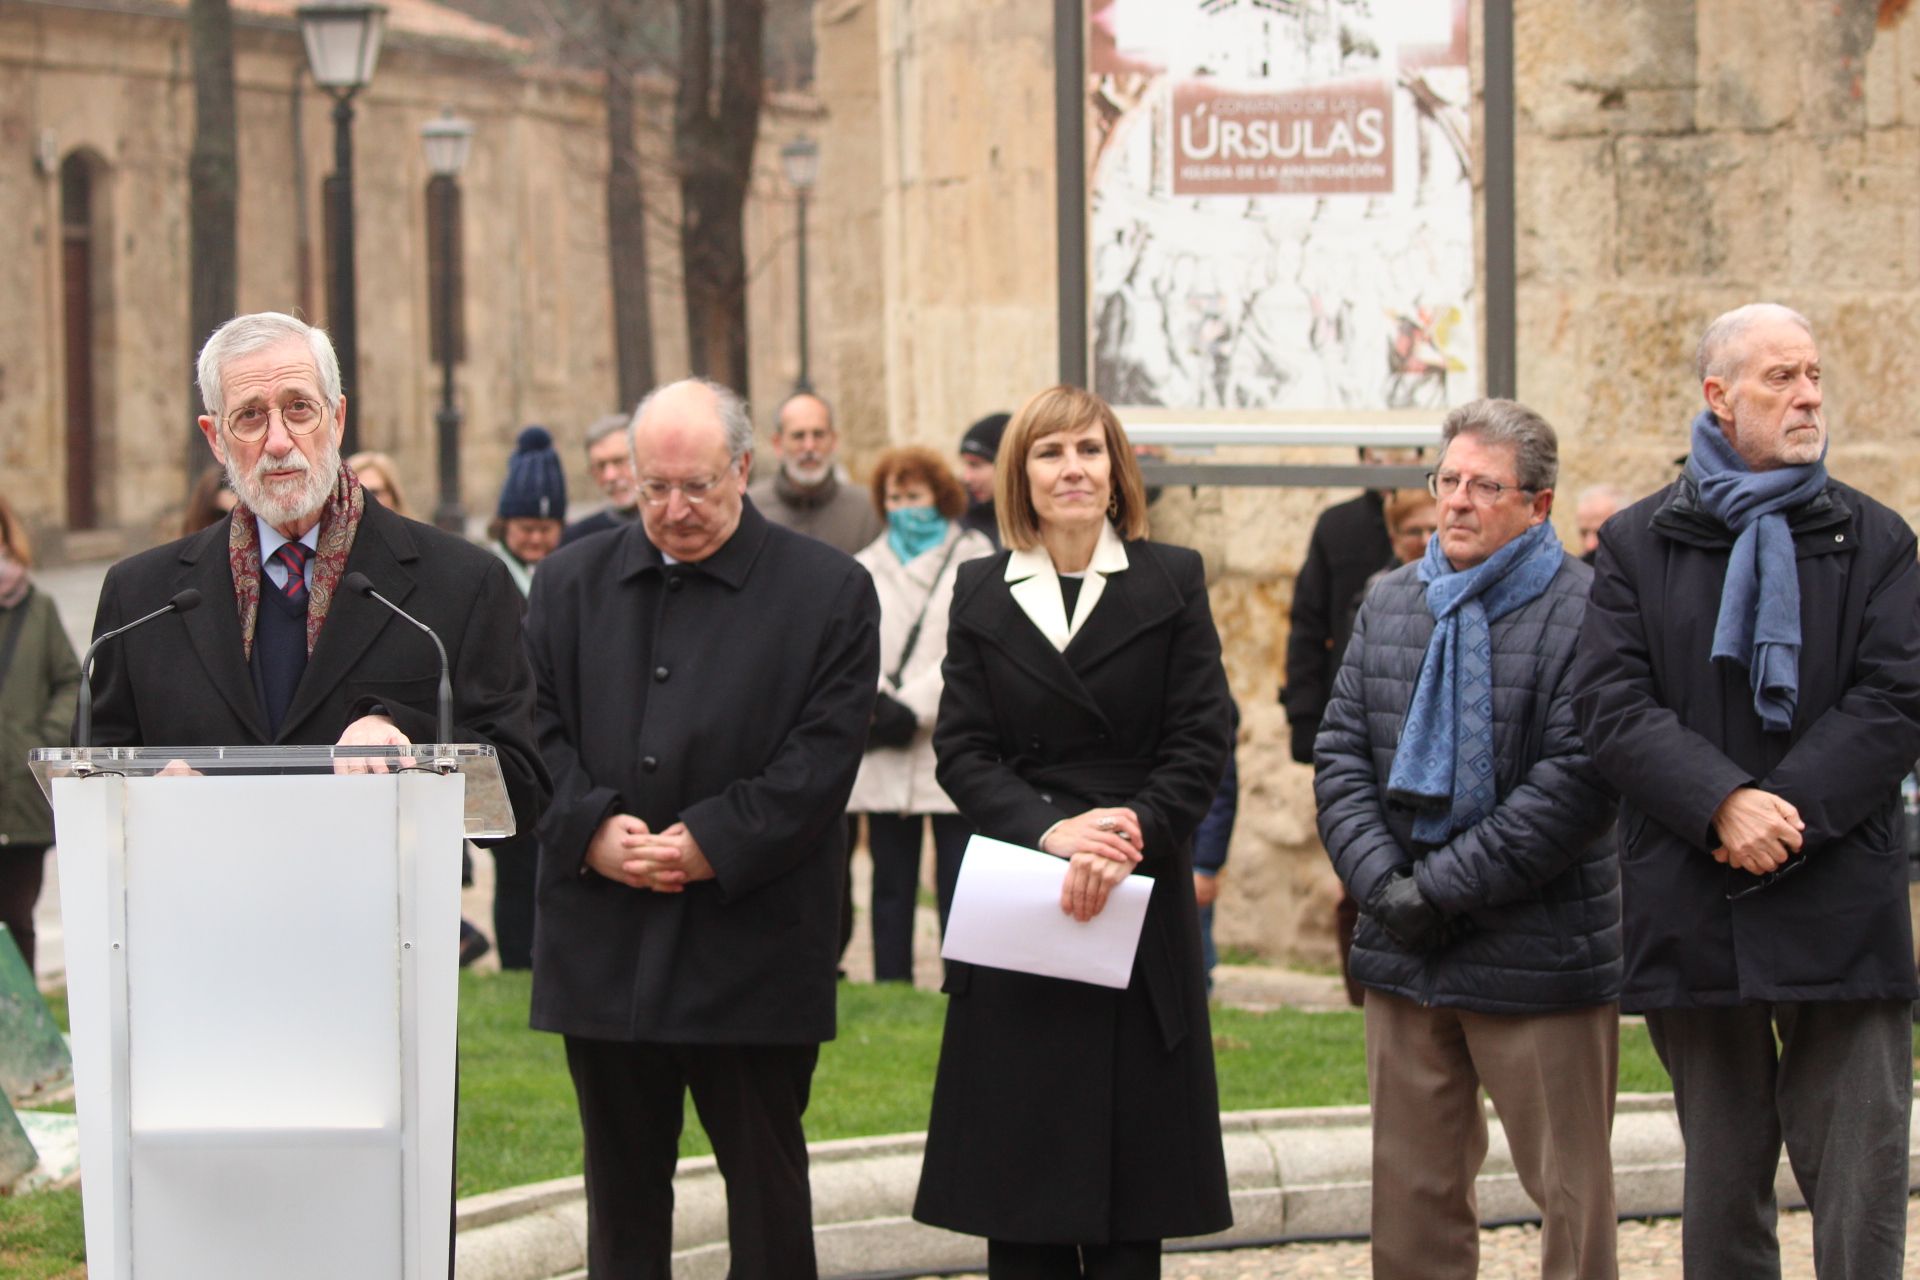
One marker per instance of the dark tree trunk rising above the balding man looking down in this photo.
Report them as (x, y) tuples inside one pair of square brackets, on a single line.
[(717, 118)]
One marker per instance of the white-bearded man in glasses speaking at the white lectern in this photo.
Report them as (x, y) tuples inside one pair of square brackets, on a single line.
[(279, 655)]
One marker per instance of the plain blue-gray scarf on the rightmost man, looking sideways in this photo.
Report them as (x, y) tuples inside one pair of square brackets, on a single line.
[(1760, 602)]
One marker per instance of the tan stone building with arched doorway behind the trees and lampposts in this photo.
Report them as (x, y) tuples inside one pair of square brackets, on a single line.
[(97, 114)]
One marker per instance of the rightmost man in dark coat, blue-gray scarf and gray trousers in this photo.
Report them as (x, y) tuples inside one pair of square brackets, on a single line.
[(1750, 682)]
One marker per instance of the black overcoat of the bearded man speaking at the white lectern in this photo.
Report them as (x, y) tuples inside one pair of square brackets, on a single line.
[(185, 680)]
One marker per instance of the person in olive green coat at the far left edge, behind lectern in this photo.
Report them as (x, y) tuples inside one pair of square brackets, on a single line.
[(39, 680)]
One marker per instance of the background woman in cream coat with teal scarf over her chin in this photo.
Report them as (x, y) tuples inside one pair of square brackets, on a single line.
[(913, 565)]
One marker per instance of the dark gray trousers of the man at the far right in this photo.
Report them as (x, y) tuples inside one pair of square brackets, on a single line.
[(1836, 1089)]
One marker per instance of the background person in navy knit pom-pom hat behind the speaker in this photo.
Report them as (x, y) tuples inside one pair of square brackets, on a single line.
[(527, 527)]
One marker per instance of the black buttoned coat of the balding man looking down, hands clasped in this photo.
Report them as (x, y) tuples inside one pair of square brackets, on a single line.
[(732, 696)]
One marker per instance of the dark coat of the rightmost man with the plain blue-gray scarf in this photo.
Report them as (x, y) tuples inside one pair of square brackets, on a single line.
[(1675, 734)]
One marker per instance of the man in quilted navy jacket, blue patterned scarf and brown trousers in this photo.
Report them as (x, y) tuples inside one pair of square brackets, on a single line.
[(1462, 811)]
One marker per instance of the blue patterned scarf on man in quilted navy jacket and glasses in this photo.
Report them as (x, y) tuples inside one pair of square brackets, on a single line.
[(1445, 763)]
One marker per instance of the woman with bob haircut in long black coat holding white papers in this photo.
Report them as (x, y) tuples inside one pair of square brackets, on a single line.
[(1086, 715)]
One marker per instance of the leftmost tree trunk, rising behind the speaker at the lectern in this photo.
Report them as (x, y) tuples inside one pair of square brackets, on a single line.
[(214, 179)]
